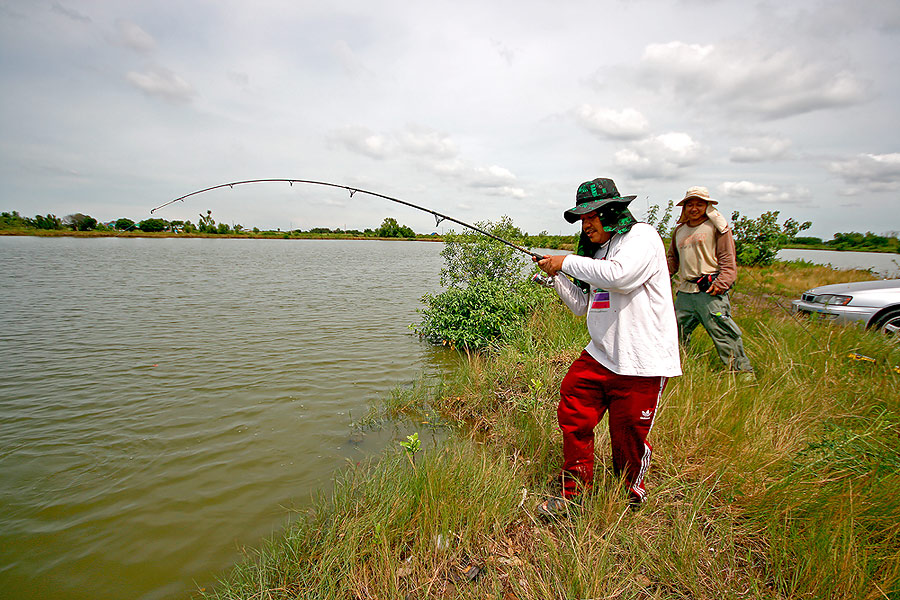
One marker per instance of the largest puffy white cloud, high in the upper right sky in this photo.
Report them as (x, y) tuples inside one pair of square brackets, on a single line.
[(766, 83)]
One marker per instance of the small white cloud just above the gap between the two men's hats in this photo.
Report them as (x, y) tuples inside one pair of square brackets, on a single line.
[(660, 156)]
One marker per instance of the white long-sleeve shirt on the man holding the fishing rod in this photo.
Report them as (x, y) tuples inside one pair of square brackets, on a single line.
[(630, 314)]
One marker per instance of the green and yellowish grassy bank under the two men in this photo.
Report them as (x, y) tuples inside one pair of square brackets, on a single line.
[(789, 488)]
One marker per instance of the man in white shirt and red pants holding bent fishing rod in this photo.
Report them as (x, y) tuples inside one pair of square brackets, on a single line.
[(622, 285)]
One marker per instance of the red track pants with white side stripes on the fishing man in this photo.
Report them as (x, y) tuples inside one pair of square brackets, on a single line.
[(588, 391)]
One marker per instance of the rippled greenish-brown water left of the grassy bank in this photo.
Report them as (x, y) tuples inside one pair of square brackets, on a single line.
[(162, 402)]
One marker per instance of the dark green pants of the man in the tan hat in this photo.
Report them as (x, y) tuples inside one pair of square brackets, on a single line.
[(714, 312)]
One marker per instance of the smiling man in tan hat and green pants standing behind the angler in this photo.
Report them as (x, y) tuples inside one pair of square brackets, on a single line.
[(702, 254)]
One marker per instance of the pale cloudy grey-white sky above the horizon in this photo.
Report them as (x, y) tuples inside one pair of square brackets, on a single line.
[(474, 109)]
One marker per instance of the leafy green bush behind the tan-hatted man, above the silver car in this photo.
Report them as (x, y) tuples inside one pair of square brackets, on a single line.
[(757, 241)]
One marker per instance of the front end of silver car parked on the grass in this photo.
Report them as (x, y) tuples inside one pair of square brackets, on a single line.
[(876, 304)]
